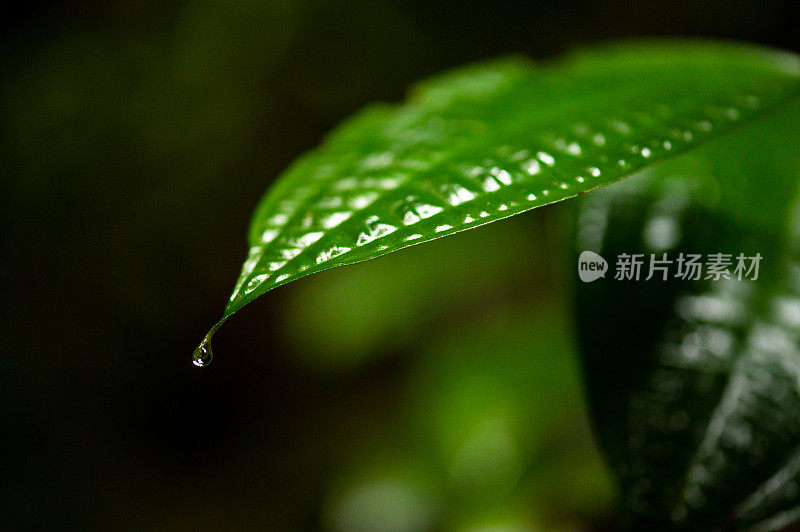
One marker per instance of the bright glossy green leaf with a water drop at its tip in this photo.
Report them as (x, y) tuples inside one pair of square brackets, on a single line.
[(496, 139)]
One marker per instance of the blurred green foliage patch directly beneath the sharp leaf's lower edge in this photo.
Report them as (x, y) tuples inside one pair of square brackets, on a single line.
[(379, 307)]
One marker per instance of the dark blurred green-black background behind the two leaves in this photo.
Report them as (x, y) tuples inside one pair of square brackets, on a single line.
[(136, 139)]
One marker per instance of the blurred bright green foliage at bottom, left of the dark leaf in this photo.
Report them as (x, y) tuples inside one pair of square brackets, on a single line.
[(494, 420)]
